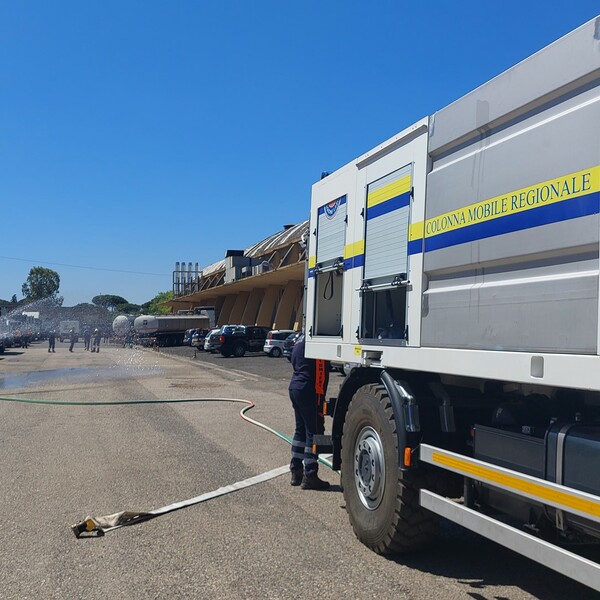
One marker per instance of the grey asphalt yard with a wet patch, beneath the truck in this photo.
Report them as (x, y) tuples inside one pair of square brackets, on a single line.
[(60, 464)]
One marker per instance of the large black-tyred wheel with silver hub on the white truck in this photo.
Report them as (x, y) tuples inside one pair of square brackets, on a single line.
[(381, 500)]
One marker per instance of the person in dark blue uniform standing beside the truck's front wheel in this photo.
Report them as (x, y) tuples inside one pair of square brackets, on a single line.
[(309, 420)]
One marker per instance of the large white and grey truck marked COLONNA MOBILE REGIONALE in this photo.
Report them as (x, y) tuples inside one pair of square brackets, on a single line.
[(455, 266)]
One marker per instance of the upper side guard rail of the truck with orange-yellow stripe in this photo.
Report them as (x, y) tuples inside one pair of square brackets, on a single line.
[(545, 492)]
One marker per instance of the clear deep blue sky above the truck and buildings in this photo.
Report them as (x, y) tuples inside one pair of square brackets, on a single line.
[(134, 134)]
